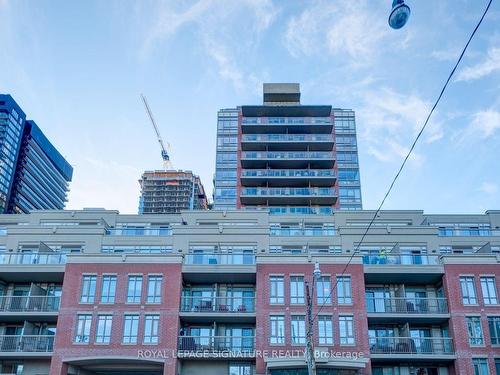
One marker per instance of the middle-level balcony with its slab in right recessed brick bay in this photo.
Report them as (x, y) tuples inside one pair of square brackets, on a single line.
[(403, 309)]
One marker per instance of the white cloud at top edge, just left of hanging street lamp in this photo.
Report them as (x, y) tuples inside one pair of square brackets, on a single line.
[(340, 27)]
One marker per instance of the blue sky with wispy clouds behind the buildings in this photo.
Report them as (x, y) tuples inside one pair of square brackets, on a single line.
[(78, 68)]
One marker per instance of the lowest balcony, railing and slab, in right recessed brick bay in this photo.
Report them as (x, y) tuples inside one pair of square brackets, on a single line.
[(396, 348)]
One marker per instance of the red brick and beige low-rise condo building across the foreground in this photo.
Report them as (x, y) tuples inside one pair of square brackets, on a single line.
[(223, 292)]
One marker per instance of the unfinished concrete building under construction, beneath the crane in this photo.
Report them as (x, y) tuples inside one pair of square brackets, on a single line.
[(166, 192)]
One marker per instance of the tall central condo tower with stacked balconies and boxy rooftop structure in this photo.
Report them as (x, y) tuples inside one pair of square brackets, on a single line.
[(286, 156)]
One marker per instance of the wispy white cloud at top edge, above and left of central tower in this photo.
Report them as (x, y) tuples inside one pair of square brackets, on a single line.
[(213, 23)]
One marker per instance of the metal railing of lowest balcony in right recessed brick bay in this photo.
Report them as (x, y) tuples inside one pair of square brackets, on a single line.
[(411, 346)]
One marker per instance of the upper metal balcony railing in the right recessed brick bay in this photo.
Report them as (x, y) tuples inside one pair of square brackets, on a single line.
[(406, 305)]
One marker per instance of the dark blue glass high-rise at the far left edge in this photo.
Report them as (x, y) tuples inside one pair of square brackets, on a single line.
[(33, 174)]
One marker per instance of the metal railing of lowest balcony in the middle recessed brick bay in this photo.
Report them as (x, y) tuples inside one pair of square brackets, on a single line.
[(237, 344)]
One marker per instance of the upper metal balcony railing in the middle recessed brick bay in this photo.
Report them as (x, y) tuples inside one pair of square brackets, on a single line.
[(218, 304)]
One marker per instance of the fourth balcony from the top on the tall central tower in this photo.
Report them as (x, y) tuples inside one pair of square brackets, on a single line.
[(288, 177)]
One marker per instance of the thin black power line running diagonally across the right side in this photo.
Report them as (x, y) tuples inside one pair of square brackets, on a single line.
[(405, 159)]
